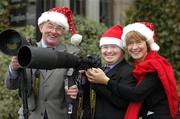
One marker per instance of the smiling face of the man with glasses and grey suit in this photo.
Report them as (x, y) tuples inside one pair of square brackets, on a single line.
[(51, 32)]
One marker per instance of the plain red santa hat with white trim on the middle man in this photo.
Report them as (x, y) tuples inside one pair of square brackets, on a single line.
[(112, 36)]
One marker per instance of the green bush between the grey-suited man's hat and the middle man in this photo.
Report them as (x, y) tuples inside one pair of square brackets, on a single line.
[(91, 32)]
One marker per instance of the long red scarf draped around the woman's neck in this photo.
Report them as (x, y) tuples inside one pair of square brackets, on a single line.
[(154, 62)]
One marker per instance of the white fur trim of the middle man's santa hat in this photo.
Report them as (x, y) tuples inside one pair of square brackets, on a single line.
[(111, 40)]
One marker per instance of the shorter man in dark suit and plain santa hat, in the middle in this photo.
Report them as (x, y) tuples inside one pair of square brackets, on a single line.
[(109, 105)]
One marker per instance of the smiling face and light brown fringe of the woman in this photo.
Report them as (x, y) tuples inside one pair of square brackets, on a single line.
[(136, 46)]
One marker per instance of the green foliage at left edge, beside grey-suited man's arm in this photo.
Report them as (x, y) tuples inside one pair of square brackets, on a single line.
[(8, 99)]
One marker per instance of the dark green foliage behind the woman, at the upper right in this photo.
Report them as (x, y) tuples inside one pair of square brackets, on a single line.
[(166, 18)]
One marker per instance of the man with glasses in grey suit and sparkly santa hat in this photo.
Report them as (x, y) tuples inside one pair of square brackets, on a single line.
[(48, 96)]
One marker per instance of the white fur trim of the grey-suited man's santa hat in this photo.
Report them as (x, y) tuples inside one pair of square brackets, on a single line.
[(55, 17)]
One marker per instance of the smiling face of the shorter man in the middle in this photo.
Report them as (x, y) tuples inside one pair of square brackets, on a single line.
[(111, 53)]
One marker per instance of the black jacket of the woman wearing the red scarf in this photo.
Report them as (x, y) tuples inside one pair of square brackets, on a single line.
[(151, 92)]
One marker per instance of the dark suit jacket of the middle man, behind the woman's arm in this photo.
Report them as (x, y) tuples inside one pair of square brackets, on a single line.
[(109, 105)]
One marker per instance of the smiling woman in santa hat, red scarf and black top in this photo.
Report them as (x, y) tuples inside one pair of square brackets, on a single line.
[(154, 96)]
